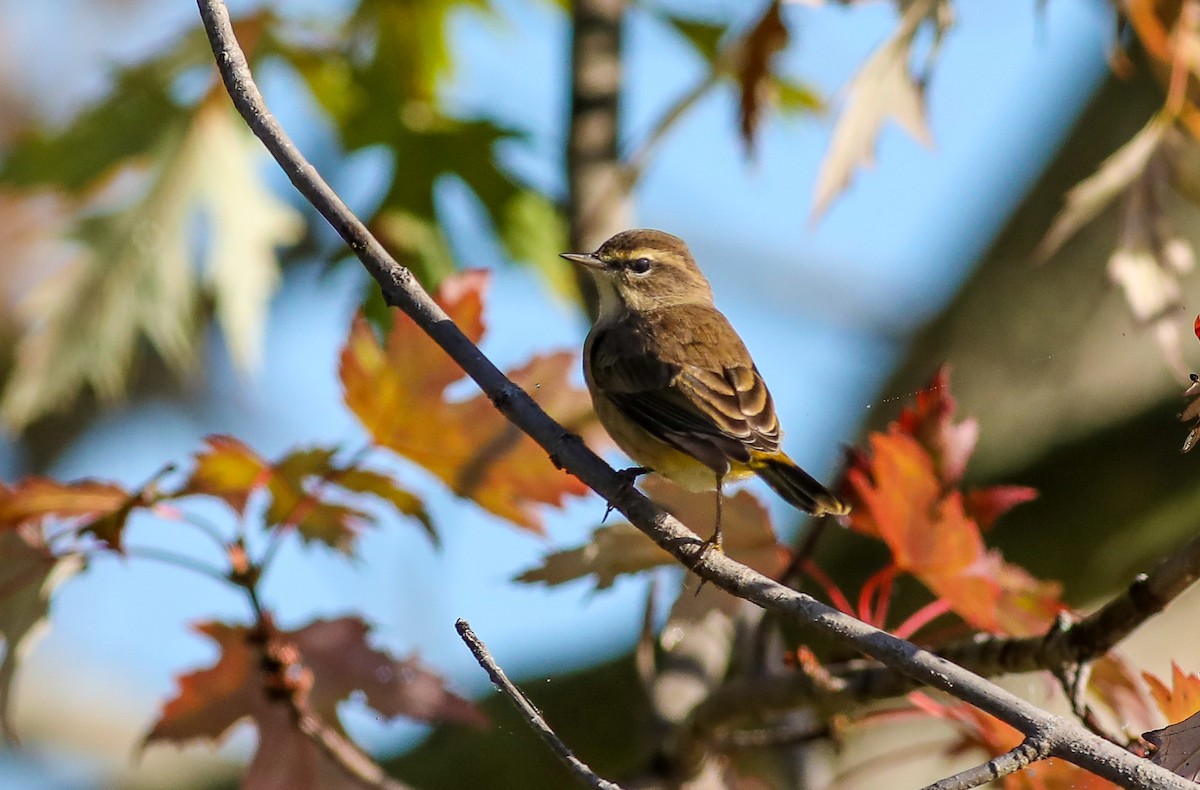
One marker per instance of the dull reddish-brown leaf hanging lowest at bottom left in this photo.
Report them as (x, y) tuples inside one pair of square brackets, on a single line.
[(212, 701)]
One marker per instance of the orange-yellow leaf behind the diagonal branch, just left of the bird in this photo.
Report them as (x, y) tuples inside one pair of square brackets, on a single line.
[(398, 392)]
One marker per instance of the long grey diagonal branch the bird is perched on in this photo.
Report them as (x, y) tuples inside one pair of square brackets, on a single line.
[(1067, 739)]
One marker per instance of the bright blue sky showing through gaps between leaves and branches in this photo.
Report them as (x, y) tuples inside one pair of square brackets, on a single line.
[(824, 308)]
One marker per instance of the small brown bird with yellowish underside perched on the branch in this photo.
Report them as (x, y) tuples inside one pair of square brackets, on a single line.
[(673, 382)]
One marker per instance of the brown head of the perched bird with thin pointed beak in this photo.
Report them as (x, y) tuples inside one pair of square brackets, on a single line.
[(645, 270)]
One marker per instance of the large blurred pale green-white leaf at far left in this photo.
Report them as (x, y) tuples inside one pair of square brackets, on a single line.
[(137, 280)]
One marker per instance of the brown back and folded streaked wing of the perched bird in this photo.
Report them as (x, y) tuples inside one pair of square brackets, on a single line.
[(686, 378)]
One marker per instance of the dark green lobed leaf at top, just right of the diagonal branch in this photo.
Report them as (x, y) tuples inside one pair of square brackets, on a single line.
[(395, 56)]
